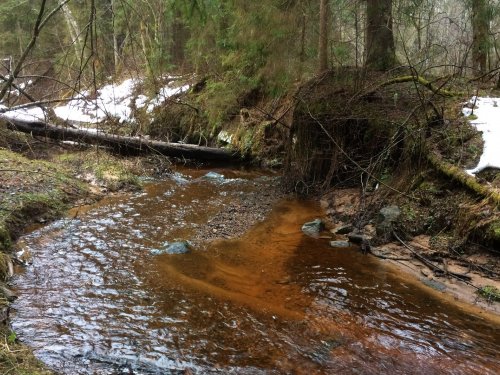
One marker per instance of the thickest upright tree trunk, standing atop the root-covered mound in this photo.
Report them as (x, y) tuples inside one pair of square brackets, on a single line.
[(379, 48)]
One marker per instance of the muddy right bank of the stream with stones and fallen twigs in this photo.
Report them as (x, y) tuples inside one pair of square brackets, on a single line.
[(467, 275)]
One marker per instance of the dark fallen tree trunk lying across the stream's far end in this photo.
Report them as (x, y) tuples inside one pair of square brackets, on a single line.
[(122, 144)]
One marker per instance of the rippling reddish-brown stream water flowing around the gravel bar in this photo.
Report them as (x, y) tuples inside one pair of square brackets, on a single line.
[(96, 301)]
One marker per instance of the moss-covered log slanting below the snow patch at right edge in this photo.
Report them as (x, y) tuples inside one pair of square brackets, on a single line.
[(457, 174)]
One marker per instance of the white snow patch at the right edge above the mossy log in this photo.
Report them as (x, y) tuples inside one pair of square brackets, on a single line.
[(487, 111)]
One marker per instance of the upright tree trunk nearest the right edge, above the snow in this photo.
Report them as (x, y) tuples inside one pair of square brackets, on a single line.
[(480, 43)]
